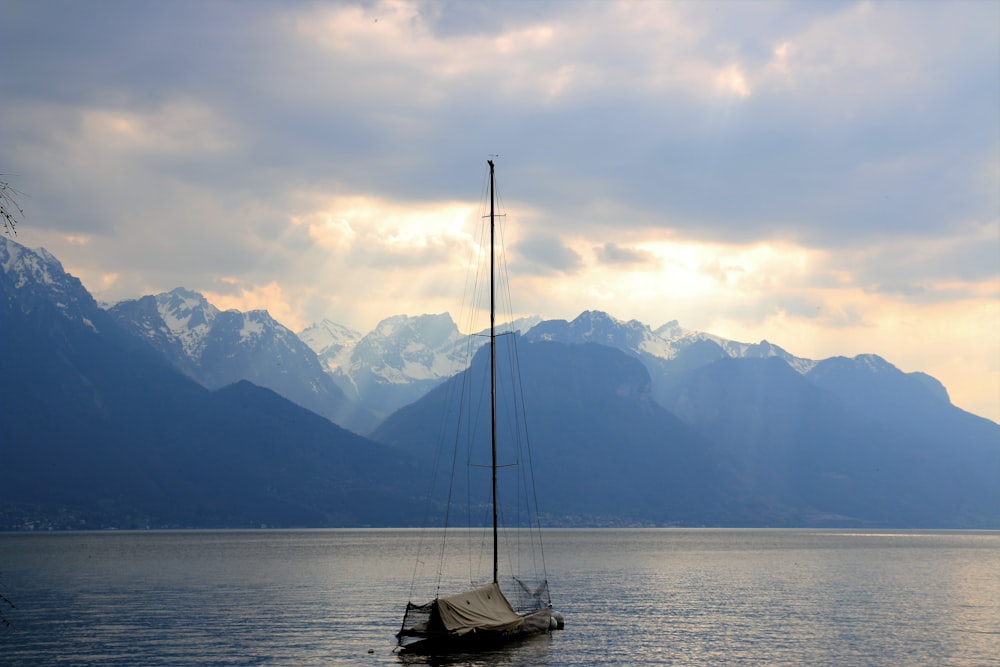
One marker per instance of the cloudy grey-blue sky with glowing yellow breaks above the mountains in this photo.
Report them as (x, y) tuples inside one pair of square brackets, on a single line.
[(822, 175)]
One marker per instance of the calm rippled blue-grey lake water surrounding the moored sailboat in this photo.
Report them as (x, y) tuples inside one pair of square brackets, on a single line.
[(648, 596)]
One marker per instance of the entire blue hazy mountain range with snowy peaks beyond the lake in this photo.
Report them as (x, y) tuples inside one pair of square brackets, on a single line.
[(166, 412)]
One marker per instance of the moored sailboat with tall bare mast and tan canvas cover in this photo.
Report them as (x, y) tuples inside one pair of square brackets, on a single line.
[(482, 616)]
